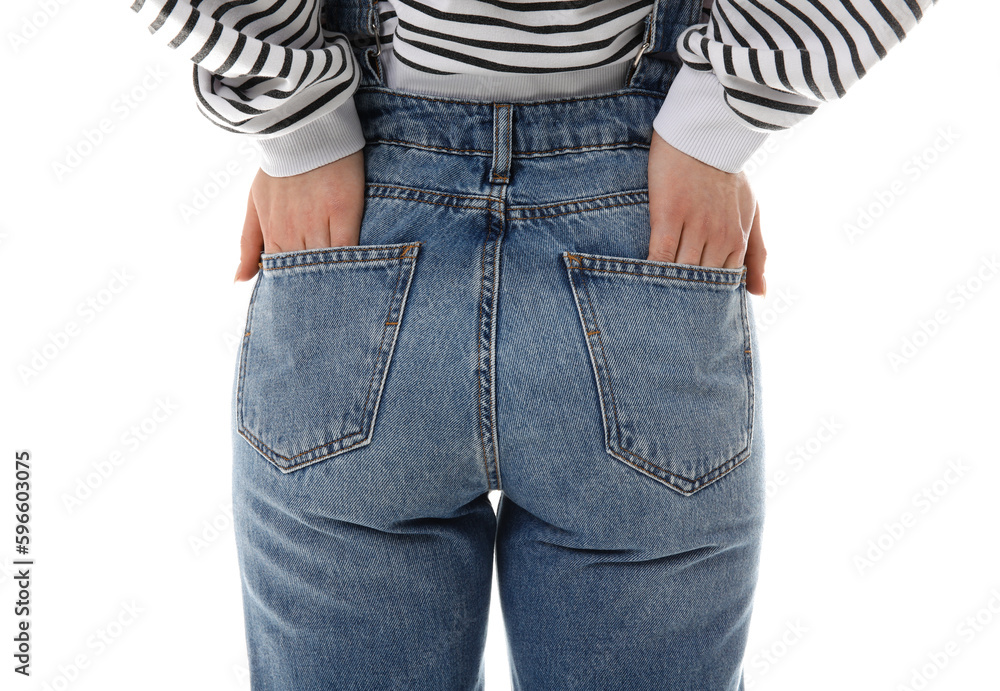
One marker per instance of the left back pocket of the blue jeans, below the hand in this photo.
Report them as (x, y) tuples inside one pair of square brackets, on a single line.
[(321, 330)]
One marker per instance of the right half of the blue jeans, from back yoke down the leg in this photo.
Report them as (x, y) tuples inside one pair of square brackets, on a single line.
[(630, 525)]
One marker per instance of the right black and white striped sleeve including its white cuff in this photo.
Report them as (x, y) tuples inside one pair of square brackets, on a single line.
[(759, 66)]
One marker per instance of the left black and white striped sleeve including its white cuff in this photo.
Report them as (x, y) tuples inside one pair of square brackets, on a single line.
[(269, 70)]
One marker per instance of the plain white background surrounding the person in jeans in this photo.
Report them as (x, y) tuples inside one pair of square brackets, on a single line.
[(875, 553)]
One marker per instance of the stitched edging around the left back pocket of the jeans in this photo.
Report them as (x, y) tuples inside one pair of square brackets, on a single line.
[(395, 308)]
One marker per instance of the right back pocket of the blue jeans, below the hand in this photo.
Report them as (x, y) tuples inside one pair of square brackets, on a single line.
[(670, 349)]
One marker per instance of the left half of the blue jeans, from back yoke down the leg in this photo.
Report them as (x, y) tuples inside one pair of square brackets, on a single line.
[(363, 525)]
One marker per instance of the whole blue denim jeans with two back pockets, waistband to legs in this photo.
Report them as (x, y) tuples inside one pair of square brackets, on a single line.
[(499, 328)]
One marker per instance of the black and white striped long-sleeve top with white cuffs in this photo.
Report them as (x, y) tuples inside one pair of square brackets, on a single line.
[(272, 71)]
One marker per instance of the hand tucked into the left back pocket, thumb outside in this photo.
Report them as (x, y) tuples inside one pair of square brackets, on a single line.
[(320, 208)]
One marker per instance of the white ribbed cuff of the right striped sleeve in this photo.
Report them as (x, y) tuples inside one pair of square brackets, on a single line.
[(696, 119)]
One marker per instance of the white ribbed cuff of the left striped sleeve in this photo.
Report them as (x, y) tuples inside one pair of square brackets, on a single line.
[(324, 140)]
